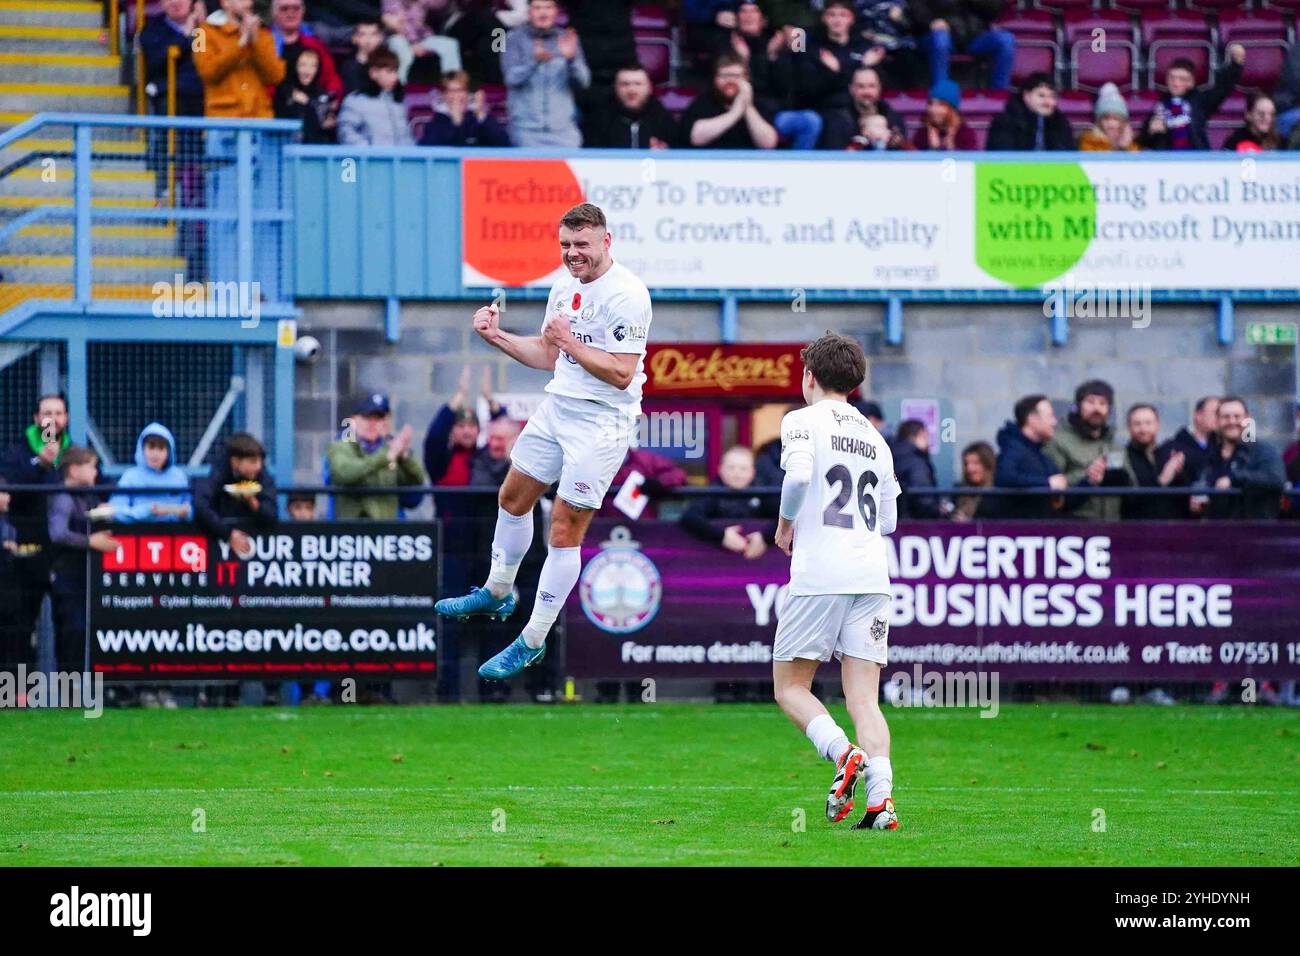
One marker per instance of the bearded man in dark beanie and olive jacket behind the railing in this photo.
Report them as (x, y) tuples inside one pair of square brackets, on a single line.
[(1086, 451)]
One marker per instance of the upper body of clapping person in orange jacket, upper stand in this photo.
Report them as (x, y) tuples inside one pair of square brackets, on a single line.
[(236, 59)]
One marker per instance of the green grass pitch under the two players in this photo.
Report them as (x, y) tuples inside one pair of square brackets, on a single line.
[(636, 785)]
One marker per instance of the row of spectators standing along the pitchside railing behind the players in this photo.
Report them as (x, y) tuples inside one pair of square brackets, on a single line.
[(46, 537)]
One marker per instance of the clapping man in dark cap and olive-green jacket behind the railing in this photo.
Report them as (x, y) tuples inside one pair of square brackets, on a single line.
[(370, 456)]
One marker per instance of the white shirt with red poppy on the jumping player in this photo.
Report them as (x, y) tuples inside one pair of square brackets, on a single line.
[(613, 314)]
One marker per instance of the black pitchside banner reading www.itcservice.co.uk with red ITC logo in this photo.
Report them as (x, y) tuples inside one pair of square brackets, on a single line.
[(323, 600)]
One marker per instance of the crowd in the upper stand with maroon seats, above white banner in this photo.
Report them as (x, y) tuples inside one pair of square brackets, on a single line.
[(800, 75)]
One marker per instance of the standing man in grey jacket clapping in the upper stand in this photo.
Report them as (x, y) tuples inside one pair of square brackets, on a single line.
[(543, 67)]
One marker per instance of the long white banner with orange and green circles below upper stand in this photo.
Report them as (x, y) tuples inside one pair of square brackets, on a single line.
[(873, 223)]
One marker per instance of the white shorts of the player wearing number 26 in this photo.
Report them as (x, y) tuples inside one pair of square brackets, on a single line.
[(814, 628)]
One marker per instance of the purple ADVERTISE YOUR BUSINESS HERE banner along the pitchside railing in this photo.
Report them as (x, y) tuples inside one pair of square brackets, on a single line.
[(1029, 600)]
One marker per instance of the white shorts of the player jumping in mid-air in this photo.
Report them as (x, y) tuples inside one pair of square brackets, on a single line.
[(579, 443)]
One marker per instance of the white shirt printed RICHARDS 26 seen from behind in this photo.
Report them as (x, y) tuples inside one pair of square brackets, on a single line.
[(838, 546)]
